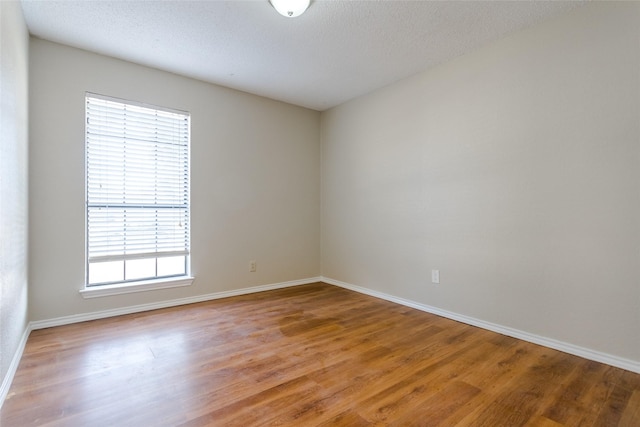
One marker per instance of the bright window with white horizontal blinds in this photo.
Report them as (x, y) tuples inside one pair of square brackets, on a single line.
[(137, 191)]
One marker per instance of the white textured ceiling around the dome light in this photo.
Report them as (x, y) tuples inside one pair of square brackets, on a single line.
[(336, 51)]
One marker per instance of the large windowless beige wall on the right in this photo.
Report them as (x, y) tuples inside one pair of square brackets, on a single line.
[(514, 171)]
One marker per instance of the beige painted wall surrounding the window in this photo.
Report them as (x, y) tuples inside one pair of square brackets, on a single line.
[(255, 181)]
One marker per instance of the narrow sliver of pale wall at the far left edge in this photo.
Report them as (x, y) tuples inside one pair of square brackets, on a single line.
[(14, 76)]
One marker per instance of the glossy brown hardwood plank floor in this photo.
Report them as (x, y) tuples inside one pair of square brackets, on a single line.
[(313, 355)]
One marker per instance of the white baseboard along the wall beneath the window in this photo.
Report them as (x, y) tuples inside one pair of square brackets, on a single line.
[(65, 320)]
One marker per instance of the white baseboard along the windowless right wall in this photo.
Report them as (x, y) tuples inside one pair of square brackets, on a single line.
[(619, 362)]
